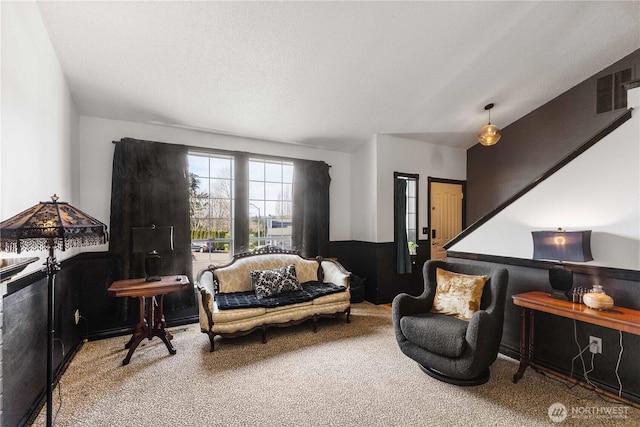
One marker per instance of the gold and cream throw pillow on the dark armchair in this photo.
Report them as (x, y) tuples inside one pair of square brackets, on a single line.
[(457, 294)]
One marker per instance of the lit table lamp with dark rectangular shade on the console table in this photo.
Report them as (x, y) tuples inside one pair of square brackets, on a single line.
[(560, 245)]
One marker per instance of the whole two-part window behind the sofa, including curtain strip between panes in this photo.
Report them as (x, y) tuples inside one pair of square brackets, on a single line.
[(237, 203)]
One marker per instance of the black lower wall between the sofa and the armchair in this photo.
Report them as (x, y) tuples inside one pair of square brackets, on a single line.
[(376, 263)]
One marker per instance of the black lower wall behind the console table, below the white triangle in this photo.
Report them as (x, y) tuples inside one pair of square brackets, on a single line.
[(555, 345)]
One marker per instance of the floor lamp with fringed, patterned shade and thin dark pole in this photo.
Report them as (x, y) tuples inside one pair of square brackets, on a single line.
[(50, 225)]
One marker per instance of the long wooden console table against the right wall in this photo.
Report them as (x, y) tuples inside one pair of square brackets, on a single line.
[(618, 318)]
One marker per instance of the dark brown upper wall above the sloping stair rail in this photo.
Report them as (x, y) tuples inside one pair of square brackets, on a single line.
[(533, 144)]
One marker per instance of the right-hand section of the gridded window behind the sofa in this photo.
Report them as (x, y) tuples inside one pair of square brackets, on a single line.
[(270, 199)]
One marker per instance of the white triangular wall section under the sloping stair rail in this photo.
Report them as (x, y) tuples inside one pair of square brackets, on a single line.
[(599, 191)]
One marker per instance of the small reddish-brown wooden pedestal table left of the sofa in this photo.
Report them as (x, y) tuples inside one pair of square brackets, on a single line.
[(153, 325)]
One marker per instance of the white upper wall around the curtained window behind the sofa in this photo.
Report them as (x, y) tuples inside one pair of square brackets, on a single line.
[(96, 161)]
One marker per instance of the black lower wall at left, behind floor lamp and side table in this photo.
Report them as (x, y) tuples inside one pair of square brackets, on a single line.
[(81, 283)]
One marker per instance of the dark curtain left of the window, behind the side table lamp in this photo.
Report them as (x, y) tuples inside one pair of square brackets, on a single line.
[(150, 186)]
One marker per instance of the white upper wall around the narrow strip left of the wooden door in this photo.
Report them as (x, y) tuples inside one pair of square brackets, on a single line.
[(404, 155)]
